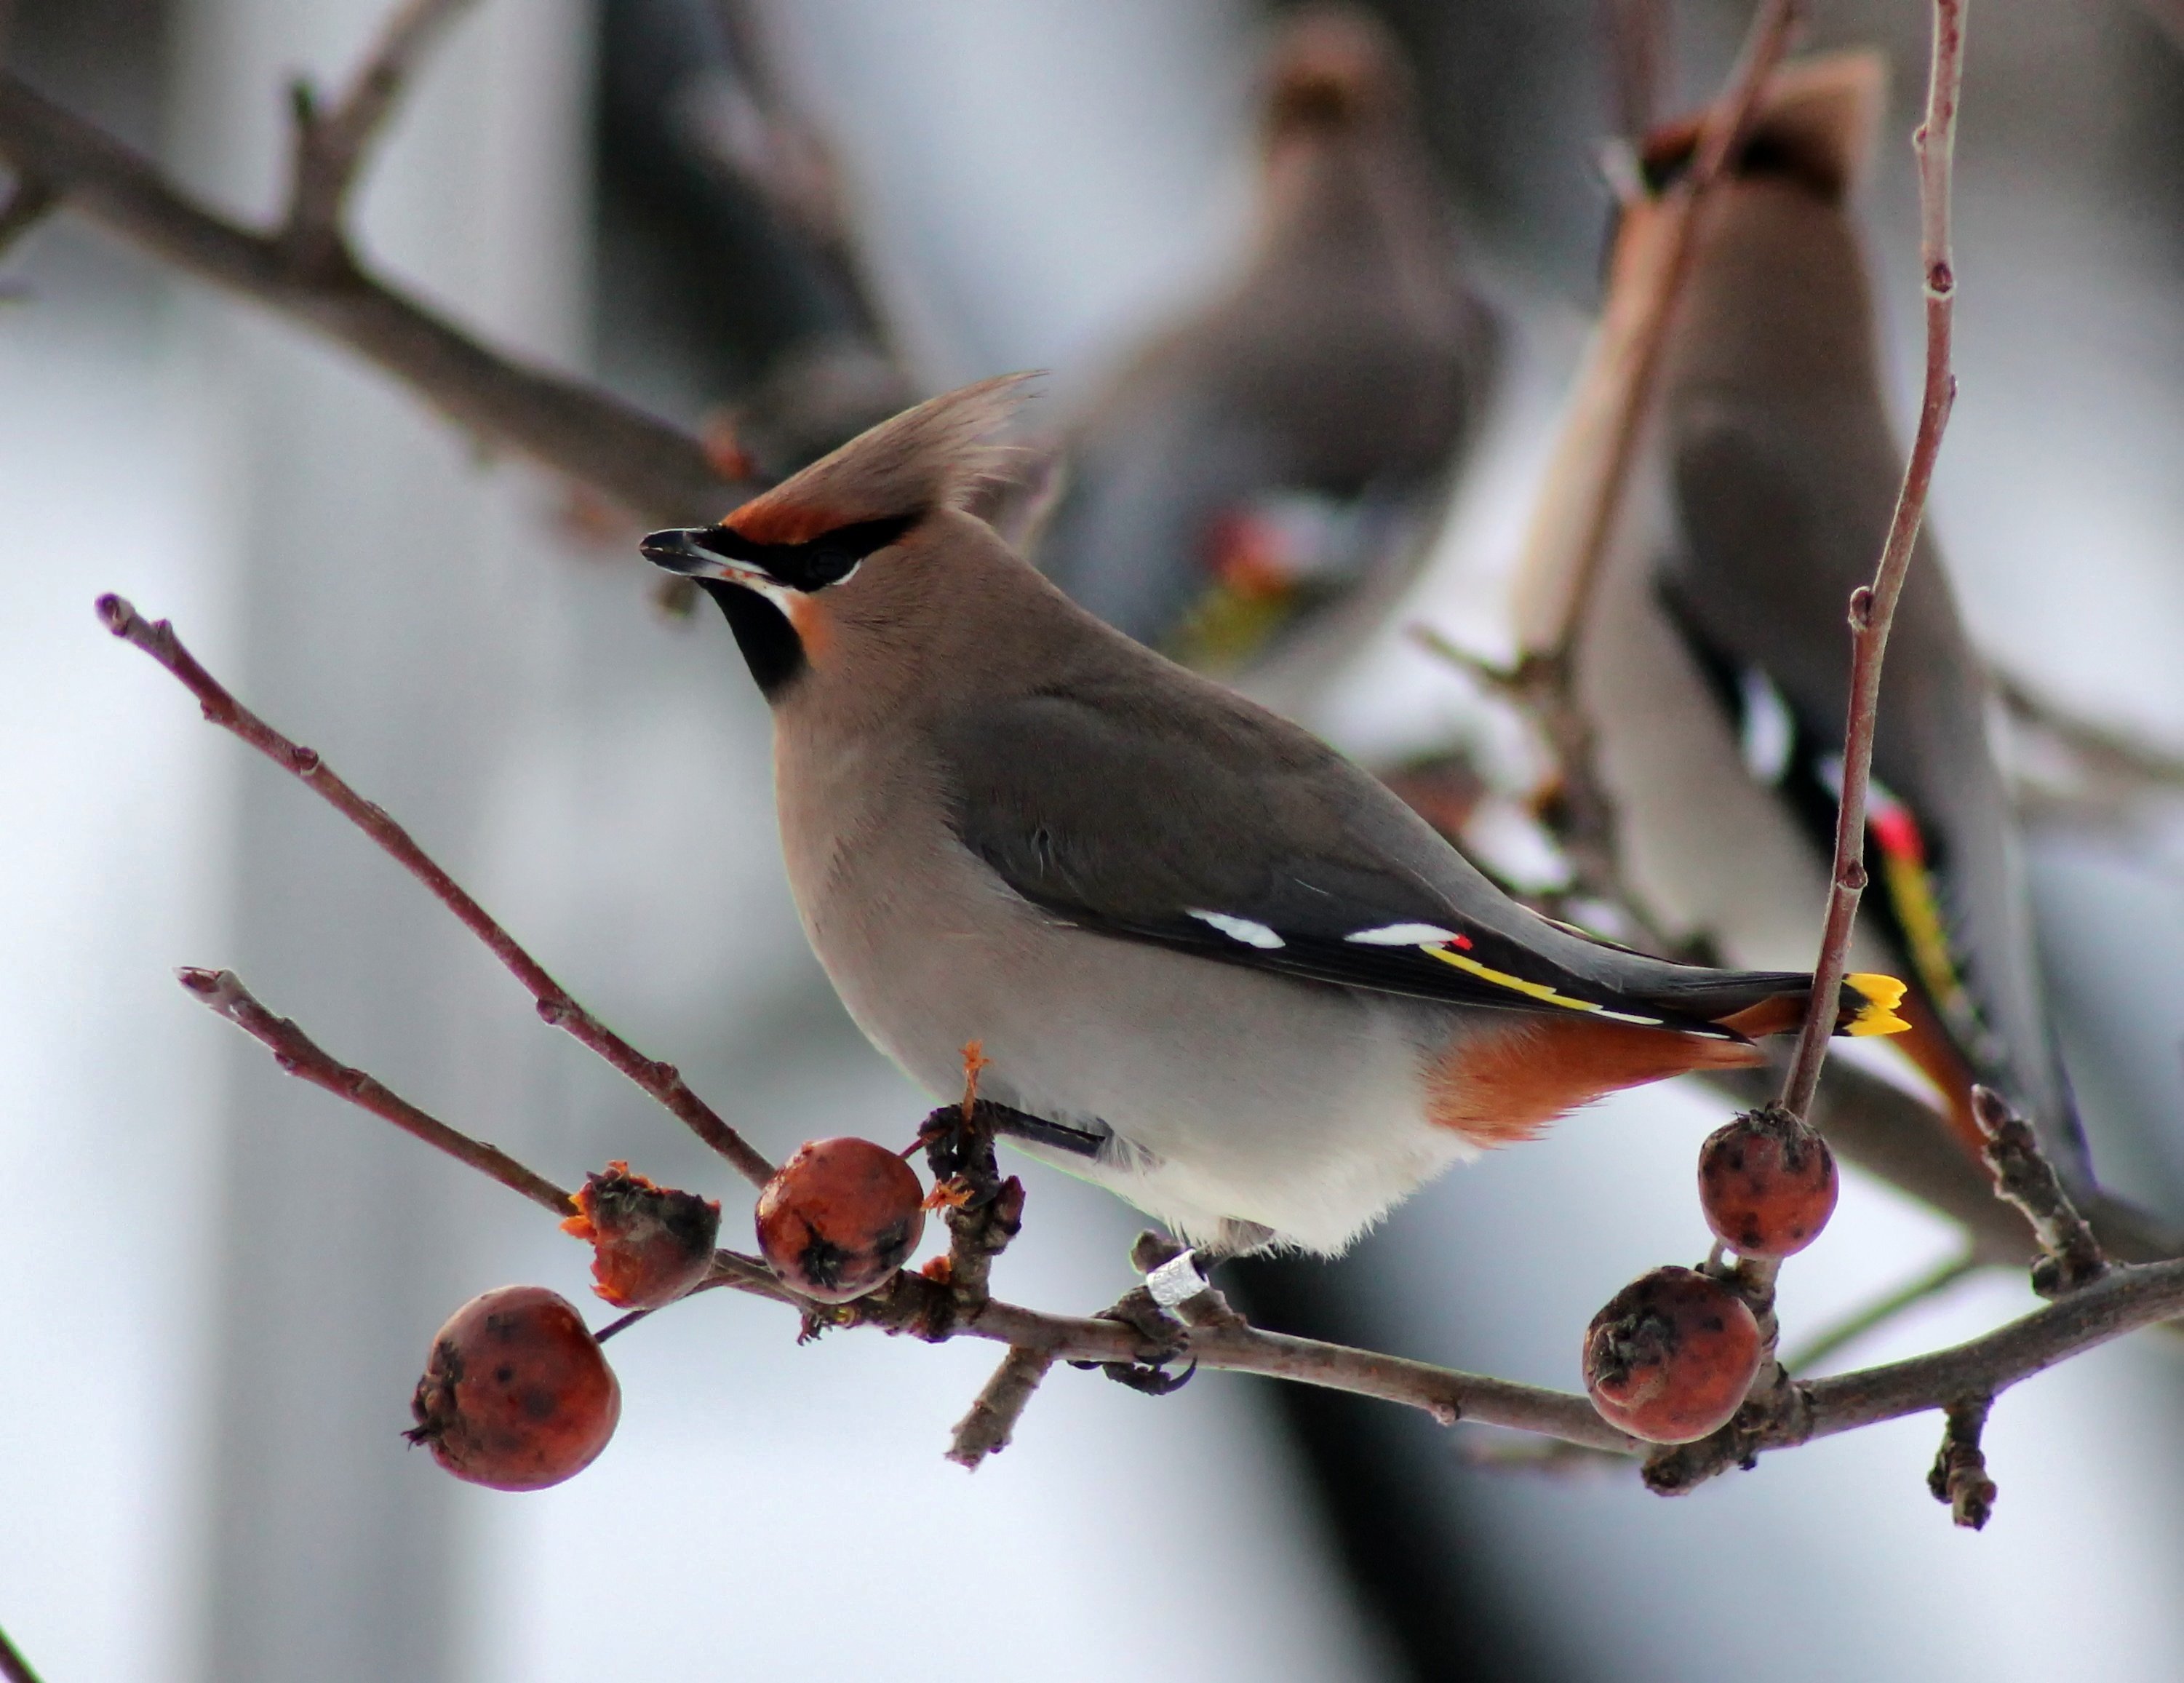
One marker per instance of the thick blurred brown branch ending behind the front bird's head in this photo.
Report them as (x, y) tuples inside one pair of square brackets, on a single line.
[(571, 427)]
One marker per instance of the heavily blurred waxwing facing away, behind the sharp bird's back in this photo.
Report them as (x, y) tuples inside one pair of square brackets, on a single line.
[(1255, 480)]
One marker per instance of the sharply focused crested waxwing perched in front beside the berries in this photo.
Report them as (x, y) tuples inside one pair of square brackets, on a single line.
[(1215, 967)]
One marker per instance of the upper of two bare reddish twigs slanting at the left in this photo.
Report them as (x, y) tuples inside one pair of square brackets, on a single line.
[(554, 1002)]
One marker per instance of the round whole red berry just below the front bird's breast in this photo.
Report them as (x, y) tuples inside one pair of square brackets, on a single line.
[(840, 1219)]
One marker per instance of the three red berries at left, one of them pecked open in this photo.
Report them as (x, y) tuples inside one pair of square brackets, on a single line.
[(519, 1393)]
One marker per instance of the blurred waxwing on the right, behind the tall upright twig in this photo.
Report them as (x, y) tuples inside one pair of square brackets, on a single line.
[(1713, 652)]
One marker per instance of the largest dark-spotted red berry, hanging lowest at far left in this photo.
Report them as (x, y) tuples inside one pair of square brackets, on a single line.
[(517, 1393)]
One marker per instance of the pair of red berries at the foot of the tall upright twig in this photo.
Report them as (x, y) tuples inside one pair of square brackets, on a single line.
[(1674, 1354)]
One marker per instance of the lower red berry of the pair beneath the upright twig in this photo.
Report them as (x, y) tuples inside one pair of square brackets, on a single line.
[(1672, 1356)]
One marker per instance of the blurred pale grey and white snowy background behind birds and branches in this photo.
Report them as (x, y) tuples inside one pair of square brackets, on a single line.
[(222, 1284)]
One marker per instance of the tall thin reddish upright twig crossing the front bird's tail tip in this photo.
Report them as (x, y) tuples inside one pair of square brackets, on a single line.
[(1873, 609)]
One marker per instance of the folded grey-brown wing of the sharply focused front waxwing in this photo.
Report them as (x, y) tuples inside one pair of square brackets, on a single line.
[(1237, 838)]
